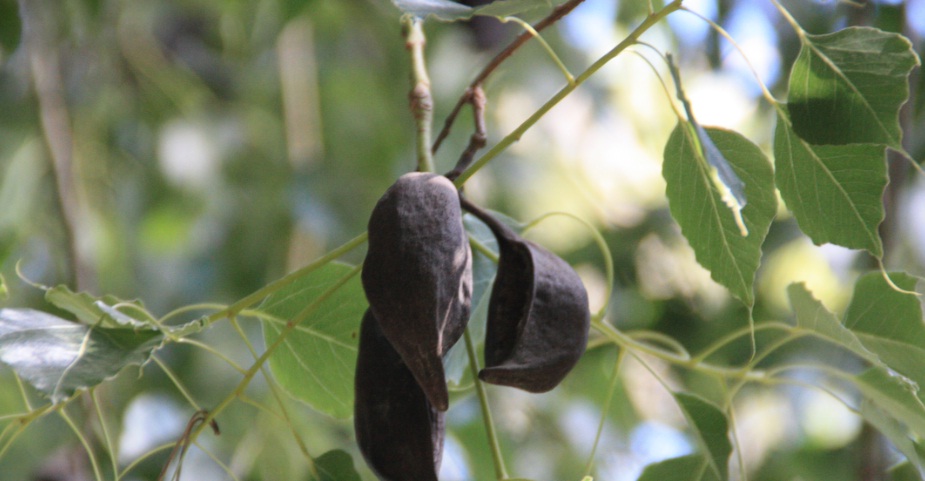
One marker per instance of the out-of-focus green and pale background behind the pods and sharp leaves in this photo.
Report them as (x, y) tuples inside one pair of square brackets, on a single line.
[(214, 145)]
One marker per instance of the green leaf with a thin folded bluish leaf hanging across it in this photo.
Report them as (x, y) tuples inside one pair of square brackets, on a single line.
[(708, 225)]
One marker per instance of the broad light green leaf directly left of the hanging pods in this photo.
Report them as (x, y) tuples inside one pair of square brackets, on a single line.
[(316, 361)]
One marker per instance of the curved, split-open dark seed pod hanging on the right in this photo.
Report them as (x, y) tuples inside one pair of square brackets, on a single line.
[(538, 315)]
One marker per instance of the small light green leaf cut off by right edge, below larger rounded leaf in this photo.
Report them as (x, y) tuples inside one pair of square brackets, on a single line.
[(895, 395)]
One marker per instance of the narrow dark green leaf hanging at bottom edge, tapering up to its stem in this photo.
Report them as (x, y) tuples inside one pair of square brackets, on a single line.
[(710, 429)]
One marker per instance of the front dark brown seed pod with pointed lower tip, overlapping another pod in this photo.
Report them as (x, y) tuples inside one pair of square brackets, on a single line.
[(418, 274)]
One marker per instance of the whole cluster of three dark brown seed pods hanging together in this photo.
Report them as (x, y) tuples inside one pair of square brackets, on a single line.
[(418, 280)]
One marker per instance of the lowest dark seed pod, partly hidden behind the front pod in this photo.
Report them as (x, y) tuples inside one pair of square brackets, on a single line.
[(399, 432)]
